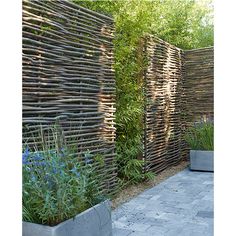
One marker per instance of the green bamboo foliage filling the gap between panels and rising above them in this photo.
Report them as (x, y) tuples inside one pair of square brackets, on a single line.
[(184, 23)]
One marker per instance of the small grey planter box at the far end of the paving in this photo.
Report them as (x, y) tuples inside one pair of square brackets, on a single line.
[(202, 160)]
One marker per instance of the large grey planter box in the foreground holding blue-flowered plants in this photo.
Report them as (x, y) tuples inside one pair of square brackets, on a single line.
[(96, 221)]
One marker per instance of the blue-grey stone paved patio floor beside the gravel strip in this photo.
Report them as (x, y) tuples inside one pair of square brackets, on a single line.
[(181, 205)]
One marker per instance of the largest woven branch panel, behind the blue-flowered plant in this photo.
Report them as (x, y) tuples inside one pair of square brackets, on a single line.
[(68, 77)]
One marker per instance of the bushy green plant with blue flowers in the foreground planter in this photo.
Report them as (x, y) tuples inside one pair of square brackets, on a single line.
[(57, 184)]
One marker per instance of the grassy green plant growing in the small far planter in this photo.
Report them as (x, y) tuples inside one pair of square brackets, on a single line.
[(201, 137)]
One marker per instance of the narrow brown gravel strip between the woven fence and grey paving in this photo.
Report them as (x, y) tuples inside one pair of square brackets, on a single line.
[(133, 190)]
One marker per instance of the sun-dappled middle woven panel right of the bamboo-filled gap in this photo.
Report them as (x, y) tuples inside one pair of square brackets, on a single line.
[(164, 120)]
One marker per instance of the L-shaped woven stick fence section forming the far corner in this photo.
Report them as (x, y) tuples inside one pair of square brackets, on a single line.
[(179, 91)]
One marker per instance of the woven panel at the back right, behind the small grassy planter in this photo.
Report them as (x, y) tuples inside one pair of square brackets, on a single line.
[(199, 83)]
